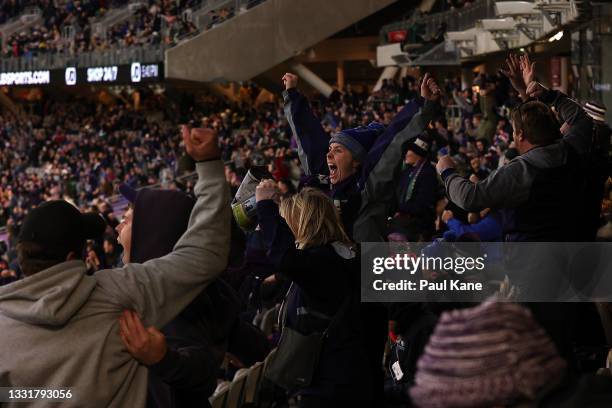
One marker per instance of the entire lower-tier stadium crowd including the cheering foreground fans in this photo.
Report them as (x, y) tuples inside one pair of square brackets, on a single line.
[(329, 173)]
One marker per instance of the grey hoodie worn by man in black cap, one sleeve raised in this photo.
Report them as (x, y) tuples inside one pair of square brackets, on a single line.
[(59, 327)]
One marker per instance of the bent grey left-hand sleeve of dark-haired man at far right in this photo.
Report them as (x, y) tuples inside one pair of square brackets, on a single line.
[(507, 187)]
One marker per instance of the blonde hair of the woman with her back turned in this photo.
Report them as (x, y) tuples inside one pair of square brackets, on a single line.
[(313, 219)]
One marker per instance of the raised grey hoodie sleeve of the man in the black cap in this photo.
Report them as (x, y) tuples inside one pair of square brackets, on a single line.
[(161, 288)]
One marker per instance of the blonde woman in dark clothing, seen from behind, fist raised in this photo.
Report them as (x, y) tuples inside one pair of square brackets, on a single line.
[(323, 269)]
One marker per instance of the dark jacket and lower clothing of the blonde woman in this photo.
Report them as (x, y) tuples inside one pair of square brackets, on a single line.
[(324, 284)]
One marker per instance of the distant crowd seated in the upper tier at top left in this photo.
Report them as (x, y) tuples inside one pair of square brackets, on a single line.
[(155, 22)]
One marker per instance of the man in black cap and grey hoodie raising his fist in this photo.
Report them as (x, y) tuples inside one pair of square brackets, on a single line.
[(51, 241)]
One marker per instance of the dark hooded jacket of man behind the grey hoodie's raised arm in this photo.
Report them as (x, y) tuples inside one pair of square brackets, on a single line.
[(197, 338)]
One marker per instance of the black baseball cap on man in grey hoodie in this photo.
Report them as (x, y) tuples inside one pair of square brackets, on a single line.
[(59, 227)]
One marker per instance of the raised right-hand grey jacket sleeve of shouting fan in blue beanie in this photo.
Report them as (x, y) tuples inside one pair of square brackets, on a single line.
[(378, 194)]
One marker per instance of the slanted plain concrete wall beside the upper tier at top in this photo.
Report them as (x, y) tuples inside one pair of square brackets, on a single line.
[(263, 37)]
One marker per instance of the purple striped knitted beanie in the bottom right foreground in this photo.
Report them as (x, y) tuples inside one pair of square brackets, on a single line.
[(492, 354)]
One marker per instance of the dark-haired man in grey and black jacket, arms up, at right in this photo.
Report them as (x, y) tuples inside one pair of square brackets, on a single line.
[(519, 184)]
